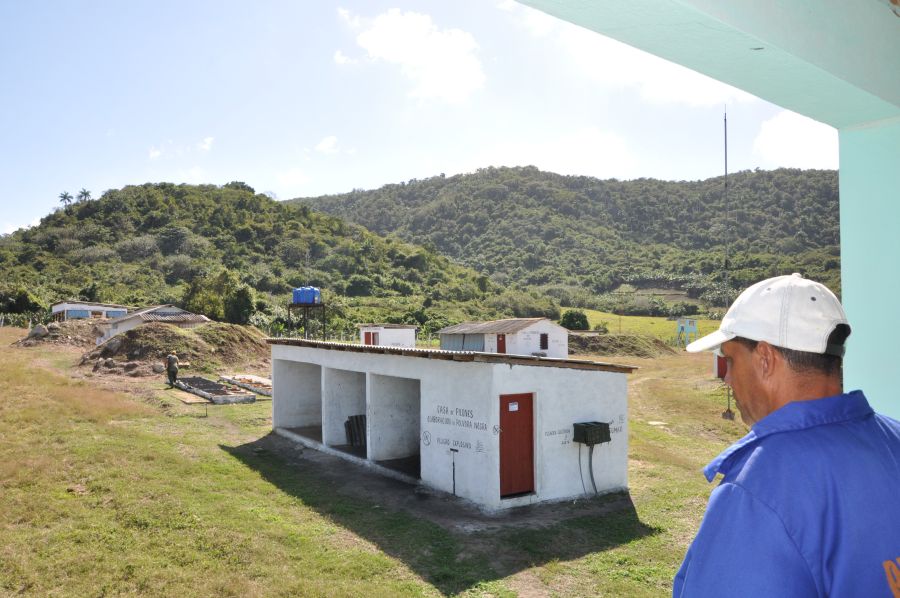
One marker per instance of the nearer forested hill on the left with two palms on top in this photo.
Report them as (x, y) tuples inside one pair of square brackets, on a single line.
[(232, 254)]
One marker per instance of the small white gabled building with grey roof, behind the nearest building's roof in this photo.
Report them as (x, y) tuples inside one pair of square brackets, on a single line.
[(514, 336)]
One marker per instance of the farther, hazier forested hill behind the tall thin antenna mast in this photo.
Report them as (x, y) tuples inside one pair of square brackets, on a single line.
[(577, 237)]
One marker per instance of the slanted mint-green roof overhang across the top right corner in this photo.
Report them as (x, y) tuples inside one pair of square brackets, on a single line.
[(847, 52)]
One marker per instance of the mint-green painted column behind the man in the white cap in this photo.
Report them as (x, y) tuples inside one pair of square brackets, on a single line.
[(870, 260)]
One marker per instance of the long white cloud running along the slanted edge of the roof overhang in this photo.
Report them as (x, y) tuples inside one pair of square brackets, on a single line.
[(619, 66)]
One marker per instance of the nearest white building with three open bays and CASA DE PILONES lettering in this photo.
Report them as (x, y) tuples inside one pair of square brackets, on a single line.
[(494, 429)]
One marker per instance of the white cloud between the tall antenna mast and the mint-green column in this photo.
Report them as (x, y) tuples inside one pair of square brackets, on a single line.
[(794, 141)]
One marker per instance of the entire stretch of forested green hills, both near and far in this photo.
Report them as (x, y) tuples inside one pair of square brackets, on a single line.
[(520, 242)]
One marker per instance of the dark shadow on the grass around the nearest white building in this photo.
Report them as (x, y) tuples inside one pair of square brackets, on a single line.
[(448, 542)]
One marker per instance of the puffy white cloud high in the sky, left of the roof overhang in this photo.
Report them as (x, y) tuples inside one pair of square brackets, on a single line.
[(440, 63)]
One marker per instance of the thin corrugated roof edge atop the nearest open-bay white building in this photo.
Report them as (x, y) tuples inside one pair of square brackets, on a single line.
[(463, 356)]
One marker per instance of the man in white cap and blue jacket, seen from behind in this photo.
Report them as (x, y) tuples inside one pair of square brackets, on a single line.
[(809, 501)]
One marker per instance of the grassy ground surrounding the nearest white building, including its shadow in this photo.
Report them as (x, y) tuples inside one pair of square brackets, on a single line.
[(107, 493)]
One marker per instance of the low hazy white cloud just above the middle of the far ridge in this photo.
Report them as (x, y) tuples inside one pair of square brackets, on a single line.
[(589, 151)]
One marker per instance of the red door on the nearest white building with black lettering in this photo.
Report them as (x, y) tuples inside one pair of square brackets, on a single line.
[(516, 444)]
